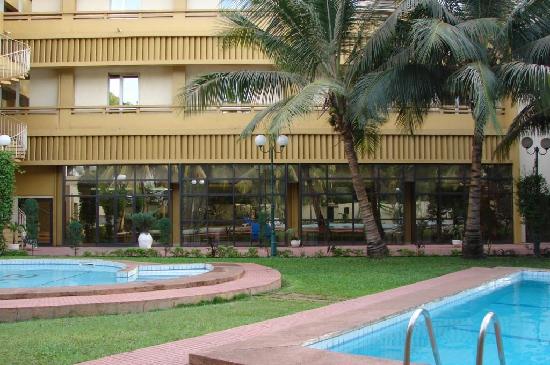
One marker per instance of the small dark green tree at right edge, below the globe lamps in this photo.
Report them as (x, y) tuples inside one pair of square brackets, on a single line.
[(533, 200)]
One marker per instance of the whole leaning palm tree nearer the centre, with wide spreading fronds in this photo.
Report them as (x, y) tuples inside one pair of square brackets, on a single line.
[(336, 55)]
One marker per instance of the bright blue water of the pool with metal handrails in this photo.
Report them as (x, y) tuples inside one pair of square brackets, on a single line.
[(522, 303)]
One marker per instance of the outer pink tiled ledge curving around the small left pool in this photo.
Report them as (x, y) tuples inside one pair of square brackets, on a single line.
[(251, 279)]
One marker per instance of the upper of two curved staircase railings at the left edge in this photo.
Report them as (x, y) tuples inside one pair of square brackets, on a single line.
[(15, 60)]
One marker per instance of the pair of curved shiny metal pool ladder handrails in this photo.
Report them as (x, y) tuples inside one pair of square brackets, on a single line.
[(487, 320)]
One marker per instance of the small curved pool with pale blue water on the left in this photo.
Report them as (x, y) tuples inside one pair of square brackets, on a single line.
[(60, 273)]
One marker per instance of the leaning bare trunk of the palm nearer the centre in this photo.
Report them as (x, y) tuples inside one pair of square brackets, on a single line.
[(375, 245)]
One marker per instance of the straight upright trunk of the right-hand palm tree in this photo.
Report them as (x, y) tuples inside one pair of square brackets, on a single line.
[(473, 246)]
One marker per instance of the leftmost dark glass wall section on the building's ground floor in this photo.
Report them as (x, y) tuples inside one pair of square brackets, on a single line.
[(103, 197)]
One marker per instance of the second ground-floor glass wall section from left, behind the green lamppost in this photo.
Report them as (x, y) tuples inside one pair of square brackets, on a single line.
[(231, 203)]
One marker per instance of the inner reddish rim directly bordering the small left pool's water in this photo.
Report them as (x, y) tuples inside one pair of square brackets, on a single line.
[(220, 273)]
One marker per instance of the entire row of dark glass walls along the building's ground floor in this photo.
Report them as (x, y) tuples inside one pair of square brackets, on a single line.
[(231, 203)]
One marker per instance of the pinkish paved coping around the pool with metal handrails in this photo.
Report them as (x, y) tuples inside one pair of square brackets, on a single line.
[(285, 346)]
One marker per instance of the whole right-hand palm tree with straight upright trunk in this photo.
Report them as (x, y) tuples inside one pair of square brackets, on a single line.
[(511, 39)]
